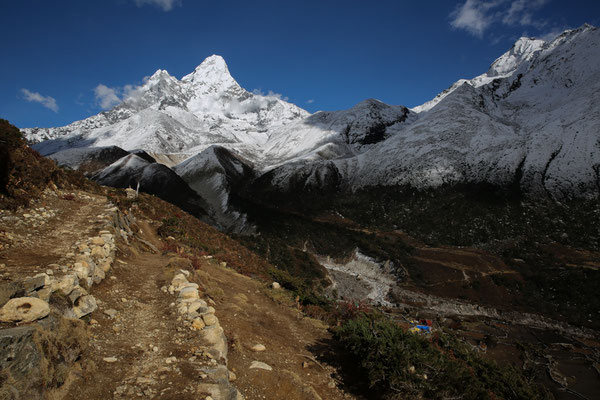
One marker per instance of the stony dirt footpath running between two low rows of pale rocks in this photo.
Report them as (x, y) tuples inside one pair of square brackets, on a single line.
[(138, 348)]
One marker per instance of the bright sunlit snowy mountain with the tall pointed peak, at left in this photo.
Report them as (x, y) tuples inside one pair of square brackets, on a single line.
[(167, 115)]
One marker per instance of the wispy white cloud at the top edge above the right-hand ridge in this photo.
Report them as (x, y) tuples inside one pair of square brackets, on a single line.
[(476, 16)]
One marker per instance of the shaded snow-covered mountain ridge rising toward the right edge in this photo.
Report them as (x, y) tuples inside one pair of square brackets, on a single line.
[(533, 118)]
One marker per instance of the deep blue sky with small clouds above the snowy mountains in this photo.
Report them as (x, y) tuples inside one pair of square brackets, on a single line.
[(321, 55)]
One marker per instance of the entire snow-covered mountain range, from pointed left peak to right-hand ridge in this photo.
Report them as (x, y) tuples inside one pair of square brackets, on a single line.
[(530, 122)]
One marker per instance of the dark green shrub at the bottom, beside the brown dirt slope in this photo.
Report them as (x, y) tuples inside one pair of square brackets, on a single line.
[(406, 365)]
